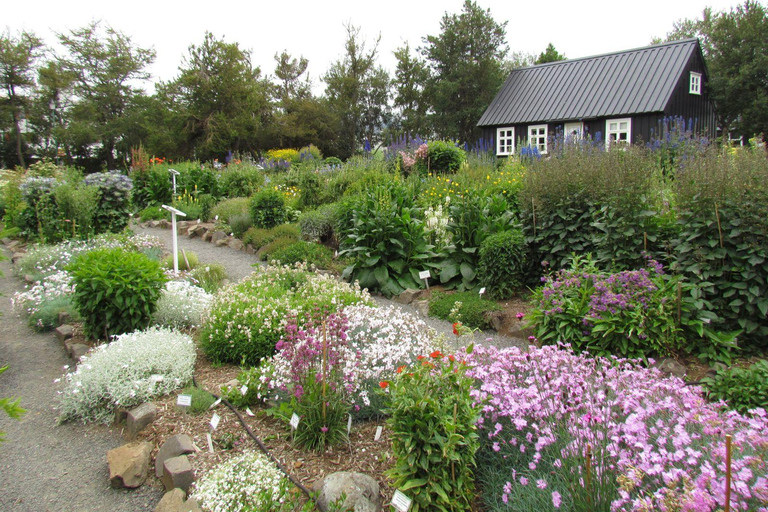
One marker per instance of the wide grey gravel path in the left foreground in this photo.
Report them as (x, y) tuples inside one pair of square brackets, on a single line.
[(45, 467)]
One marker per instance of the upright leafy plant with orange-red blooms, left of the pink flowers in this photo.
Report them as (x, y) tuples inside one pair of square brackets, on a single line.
[(434, 438)]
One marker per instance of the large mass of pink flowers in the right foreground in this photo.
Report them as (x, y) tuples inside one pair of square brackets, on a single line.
[(657, 440)]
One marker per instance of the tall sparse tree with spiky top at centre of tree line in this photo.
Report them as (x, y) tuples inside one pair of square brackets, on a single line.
[(358, 93)]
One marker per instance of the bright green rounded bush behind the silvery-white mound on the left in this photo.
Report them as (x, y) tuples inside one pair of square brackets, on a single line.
[(115, 291)]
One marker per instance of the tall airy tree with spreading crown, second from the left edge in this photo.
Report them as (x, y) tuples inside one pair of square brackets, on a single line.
[(105, 64)]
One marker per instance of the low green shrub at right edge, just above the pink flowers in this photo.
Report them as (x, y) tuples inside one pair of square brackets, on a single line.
[(743, 389)]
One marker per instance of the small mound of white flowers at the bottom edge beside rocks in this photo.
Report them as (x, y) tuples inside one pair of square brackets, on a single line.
[(247, 482)]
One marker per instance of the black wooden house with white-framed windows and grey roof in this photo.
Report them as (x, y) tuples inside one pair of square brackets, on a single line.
[(617, 97)]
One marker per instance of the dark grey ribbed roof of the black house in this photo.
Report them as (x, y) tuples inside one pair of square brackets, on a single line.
[(614, 84)]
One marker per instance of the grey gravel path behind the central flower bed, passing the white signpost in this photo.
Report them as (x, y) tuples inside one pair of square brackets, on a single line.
[(239, 264)]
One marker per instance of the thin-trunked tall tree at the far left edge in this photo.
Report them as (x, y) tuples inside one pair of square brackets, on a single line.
[(17, 77)]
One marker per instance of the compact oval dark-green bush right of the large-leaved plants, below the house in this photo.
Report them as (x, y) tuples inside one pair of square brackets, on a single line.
[(502, 264)]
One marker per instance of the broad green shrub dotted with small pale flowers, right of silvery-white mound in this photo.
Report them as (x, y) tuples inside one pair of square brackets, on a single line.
[(247, 319)]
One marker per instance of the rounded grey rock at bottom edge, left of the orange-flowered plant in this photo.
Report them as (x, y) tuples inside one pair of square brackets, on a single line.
[(361, 490)]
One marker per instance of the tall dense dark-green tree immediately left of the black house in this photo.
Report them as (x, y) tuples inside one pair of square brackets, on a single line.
[(466, 62)]
